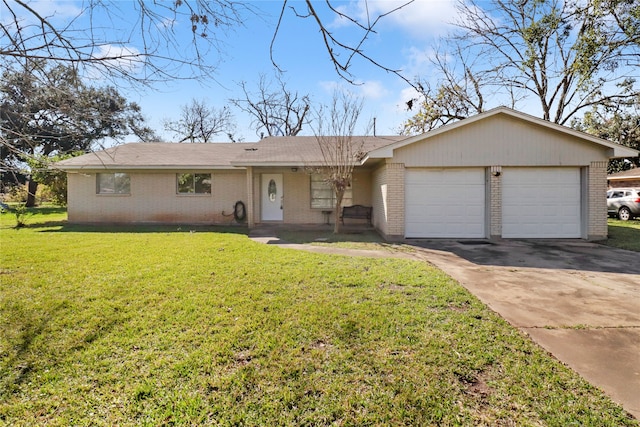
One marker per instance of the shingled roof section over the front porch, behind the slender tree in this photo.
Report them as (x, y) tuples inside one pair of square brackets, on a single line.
[(301, 150)]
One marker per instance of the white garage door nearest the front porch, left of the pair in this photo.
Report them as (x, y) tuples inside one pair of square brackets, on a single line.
[(445, 203)]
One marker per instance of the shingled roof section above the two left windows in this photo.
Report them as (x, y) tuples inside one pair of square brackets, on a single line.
[(159, 155)]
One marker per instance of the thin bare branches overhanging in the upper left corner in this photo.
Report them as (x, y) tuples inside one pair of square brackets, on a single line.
[(142, 42)]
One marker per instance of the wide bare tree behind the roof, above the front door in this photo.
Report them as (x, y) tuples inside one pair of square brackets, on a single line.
[(275, 111)]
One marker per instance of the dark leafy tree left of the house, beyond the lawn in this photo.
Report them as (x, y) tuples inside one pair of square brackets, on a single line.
[(48, 110)]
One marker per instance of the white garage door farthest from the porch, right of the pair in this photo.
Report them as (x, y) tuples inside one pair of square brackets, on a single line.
[(541, 203)]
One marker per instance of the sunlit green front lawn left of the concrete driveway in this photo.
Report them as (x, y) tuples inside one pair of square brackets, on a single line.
[(172, 327)]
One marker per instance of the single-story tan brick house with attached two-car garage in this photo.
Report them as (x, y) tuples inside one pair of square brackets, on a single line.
[(500, 174)]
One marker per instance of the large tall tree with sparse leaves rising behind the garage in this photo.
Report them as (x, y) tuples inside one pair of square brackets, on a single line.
[(567, 56)]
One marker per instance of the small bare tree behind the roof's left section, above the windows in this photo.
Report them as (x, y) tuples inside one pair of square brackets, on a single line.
[(200, 122)]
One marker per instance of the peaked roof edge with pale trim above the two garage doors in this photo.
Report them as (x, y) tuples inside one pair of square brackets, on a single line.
[(616, 150)]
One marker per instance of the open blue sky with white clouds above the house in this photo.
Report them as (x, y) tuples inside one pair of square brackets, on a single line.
[(405, 39)]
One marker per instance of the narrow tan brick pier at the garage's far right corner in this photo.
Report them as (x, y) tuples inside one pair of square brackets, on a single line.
[(597, 204)]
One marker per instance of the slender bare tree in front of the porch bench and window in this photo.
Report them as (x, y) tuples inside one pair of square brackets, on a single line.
[(341, 149)]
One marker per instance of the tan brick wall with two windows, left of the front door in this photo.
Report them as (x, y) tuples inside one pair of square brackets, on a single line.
[(153, 199)]
